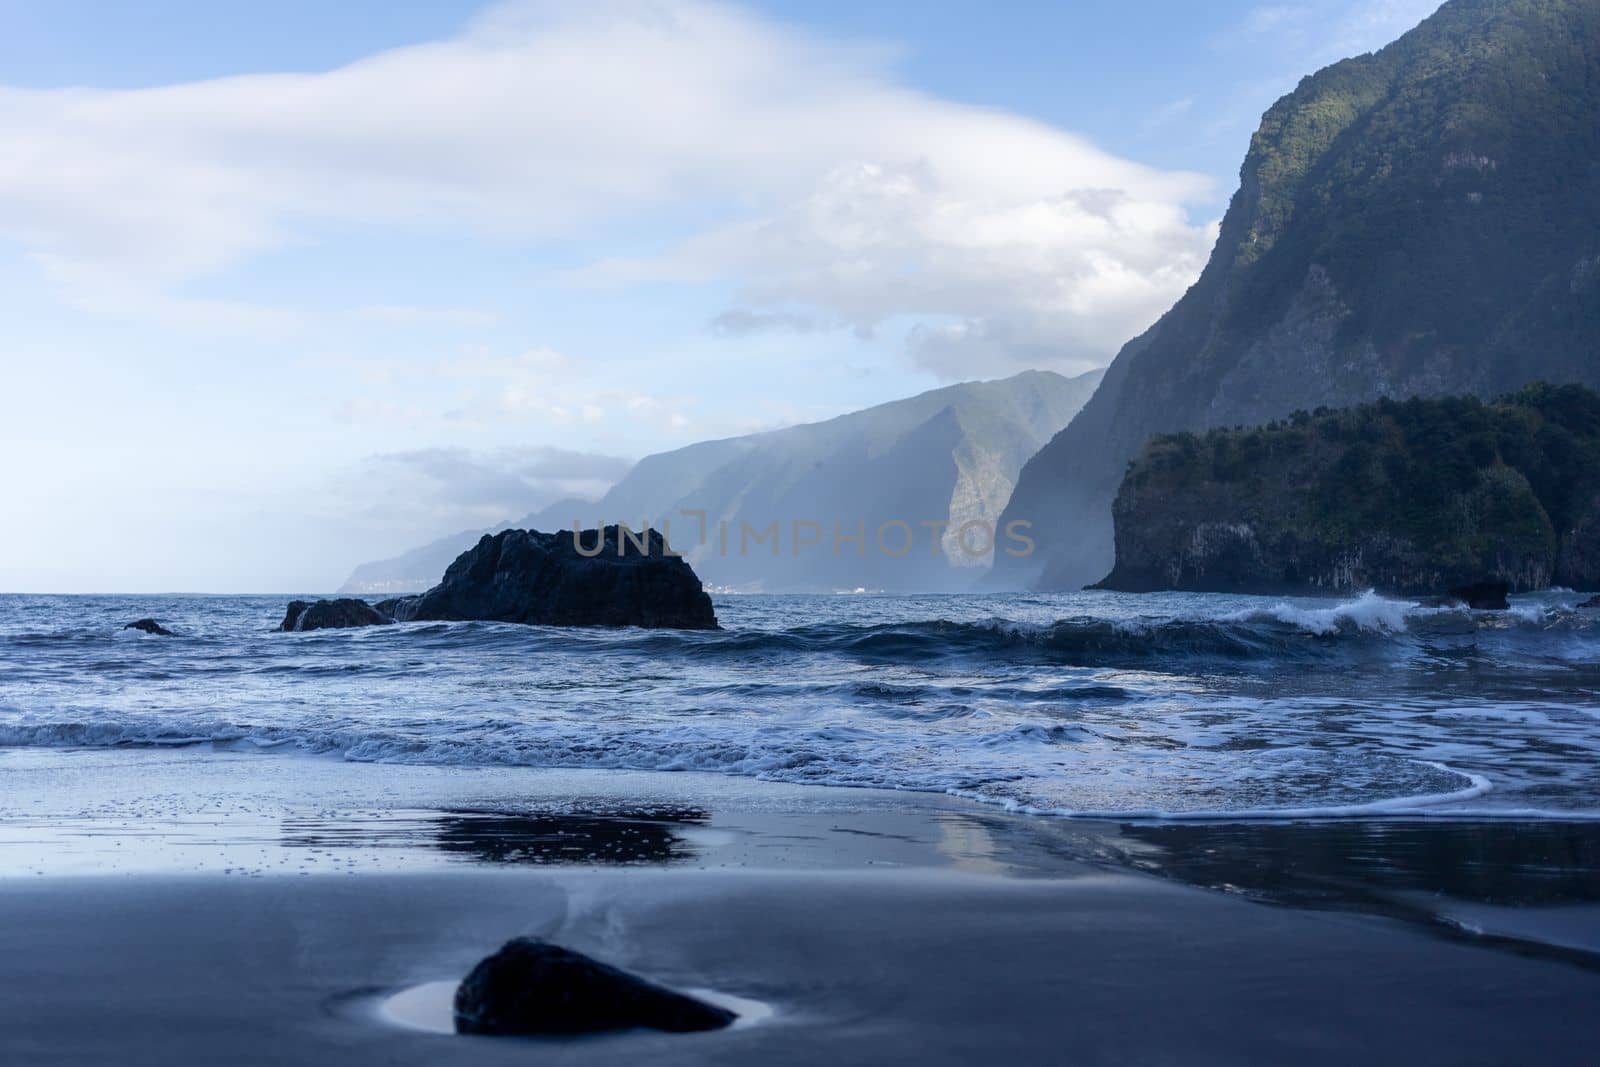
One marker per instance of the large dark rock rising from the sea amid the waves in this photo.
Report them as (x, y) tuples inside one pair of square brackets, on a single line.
[(543, 580)]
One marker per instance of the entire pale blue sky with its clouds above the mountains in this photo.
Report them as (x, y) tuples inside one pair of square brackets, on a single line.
[(297, 286)]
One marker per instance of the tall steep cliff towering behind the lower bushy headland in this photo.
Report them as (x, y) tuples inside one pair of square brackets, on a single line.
[(1418, 222)]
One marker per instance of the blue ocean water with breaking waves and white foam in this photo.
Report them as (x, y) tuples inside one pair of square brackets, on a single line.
[(1166, 706)]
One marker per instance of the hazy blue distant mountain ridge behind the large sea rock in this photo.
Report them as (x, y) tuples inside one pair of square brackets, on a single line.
[(945, 457)]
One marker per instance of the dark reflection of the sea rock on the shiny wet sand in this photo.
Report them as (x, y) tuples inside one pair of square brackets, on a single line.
[(649, 836)]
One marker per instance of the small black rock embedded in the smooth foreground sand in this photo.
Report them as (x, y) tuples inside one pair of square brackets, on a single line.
[(534, 988)]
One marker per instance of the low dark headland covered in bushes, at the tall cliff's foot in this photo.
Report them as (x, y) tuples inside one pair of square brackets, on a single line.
[(1409, 498)]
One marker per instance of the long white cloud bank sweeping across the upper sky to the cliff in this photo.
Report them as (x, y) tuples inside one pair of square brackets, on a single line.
[(857, 199)]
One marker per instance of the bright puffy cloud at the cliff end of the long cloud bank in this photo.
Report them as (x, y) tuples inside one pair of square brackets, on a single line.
[(1074, 273)]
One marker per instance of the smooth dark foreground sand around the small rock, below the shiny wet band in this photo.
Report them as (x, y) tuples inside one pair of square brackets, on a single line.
[(897, 967)]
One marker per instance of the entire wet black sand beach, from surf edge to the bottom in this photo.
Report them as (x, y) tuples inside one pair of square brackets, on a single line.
[(878, 927)]
